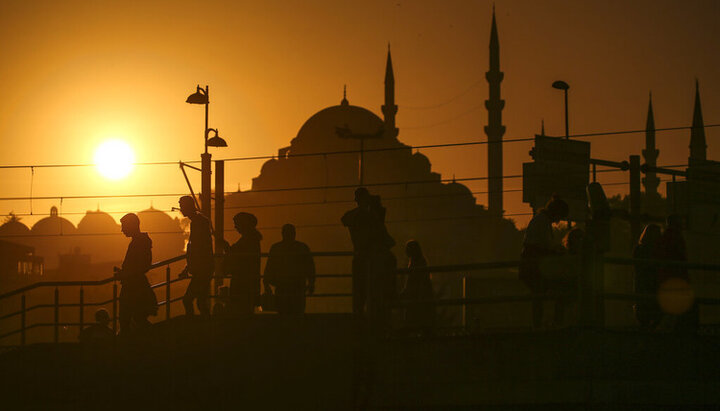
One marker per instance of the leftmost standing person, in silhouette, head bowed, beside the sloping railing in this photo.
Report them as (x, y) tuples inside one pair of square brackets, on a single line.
[(137, 299)]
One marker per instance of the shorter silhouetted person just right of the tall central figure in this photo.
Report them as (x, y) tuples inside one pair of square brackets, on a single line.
[(418, 287)]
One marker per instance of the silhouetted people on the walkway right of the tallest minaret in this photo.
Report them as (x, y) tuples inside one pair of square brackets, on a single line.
[(553, 270)]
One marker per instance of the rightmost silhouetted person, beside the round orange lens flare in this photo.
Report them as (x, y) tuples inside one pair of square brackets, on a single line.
[(671, 246)]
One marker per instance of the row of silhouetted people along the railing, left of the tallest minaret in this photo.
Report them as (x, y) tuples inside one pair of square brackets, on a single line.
[(289, 274)]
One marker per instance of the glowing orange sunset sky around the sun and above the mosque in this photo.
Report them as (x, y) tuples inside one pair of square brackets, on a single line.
[(77, 73)]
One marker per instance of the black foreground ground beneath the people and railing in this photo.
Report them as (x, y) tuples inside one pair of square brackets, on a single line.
[(323, 363)]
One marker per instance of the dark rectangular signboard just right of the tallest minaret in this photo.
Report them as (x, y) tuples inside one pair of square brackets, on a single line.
[(561, 166)]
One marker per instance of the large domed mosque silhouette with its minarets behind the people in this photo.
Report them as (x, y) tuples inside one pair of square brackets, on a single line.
[(439, 213)]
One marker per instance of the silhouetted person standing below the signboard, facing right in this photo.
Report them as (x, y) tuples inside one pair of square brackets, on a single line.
[(537, 245)]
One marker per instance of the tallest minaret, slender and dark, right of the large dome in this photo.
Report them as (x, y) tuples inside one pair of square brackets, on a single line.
[(495, 130)]
